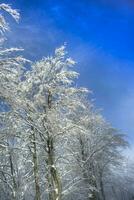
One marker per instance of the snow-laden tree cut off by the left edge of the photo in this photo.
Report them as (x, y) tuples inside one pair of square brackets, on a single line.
[(10, 69)]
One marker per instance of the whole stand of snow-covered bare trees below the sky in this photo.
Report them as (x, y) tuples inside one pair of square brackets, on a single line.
[(54, 143)]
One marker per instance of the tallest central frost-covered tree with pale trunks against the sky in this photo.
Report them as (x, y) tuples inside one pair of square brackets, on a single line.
[(49, 98)]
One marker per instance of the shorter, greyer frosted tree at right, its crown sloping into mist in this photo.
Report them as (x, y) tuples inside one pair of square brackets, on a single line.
[(99, 154)]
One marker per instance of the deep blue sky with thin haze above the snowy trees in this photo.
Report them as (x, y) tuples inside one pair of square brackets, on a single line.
[(99, 34)]
